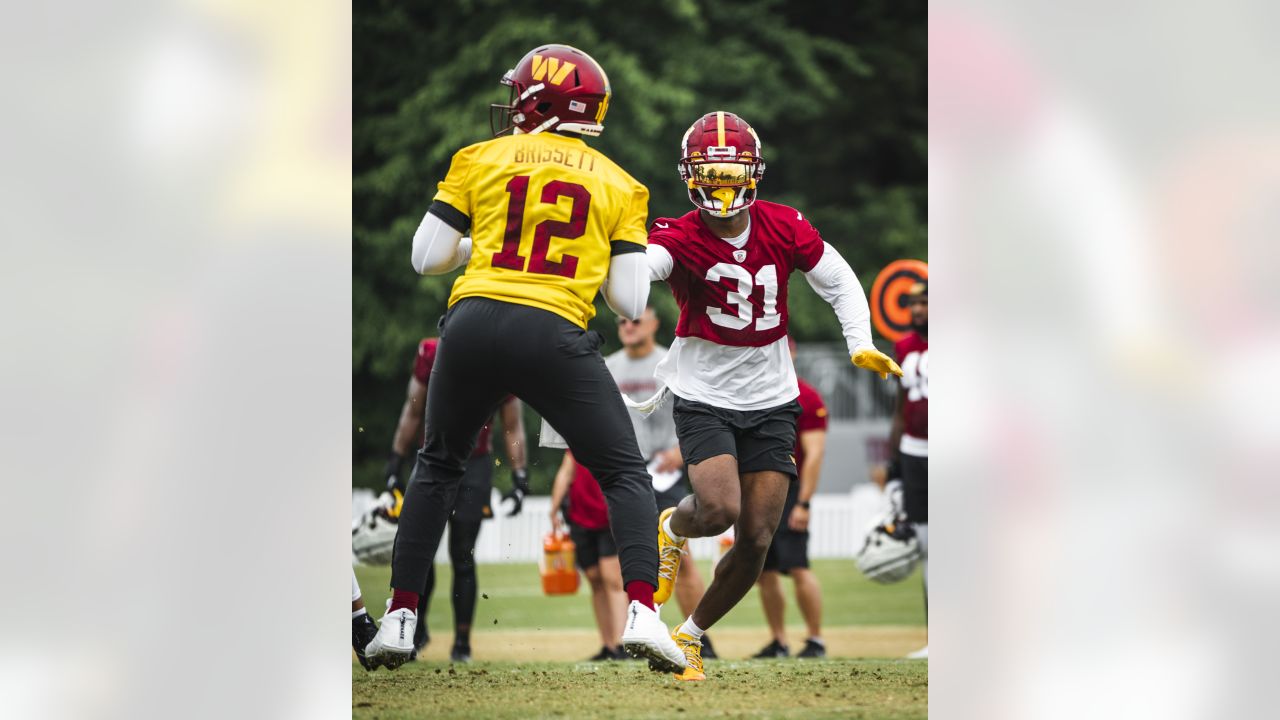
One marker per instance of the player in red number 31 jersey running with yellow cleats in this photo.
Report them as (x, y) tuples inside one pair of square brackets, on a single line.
[(728, 263)]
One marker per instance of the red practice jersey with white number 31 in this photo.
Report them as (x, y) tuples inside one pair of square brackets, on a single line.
[(734, 297)]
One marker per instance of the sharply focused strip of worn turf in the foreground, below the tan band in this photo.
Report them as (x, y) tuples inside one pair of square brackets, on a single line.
[(761, 689)]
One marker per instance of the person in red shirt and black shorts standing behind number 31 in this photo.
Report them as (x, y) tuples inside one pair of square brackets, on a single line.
[(789, 554)]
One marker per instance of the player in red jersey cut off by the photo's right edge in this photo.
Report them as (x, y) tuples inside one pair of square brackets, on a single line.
[(909, 438)]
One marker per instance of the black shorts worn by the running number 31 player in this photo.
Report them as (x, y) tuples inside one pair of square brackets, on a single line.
[(761, 440)]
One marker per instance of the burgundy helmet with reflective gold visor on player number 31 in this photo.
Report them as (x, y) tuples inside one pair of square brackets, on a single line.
[(721, 163)]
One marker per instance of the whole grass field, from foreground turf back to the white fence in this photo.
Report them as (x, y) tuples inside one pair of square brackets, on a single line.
[(529, 653)]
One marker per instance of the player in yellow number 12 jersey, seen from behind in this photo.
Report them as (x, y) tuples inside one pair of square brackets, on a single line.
[(552, 224)]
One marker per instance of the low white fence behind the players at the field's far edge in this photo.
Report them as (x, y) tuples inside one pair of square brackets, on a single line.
[(836, 527)]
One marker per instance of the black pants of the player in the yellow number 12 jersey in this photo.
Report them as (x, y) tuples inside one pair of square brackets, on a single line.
[(490, 350)]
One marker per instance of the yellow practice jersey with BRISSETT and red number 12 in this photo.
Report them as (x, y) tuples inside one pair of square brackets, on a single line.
[(547, 213)]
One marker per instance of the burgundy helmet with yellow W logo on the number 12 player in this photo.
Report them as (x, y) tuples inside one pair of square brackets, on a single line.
[(554, 88)]
